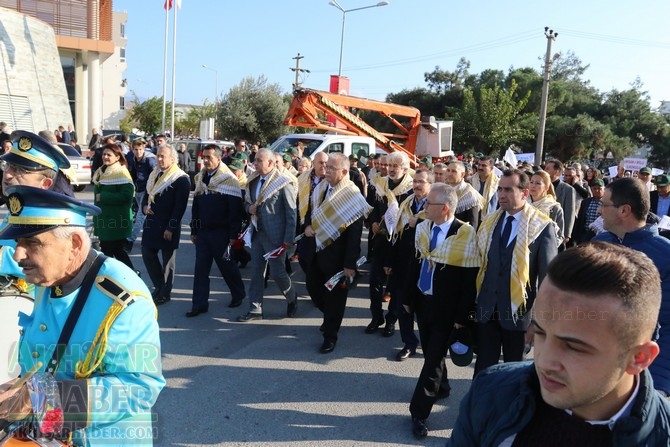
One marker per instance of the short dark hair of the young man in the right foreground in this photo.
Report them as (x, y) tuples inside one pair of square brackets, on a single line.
[(602, 269)]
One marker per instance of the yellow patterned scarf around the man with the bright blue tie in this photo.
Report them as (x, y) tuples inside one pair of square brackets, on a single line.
[(459, 249)]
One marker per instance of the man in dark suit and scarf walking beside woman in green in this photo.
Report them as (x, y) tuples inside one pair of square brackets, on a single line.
[(164, 205)]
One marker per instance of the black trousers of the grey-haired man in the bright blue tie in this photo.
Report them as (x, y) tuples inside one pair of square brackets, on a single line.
[(434, 328)]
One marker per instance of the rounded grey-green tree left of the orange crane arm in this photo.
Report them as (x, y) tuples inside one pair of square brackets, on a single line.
[(253, 110)]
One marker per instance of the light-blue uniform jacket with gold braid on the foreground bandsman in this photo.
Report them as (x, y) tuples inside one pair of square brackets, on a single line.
[(113, 405)]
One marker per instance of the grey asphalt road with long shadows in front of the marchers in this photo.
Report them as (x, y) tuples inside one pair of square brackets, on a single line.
[(264, 383)]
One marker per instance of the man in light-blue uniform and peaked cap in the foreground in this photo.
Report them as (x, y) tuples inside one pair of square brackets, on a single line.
[(109, 374)]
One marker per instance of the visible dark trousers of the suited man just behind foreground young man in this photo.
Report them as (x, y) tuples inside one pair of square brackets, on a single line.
[(491, 338)]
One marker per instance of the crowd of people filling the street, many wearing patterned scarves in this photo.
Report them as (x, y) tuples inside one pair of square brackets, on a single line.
[(484, 258)]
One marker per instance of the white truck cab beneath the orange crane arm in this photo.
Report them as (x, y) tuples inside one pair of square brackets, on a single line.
[(329, 143)]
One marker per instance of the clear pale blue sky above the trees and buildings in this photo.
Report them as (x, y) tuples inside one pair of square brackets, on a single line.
[(388, 49)]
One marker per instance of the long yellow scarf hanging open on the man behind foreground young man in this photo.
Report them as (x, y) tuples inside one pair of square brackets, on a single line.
[(531, 223)]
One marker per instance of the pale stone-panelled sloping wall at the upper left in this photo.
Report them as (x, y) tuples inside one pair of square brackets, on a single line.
[(32, 89)]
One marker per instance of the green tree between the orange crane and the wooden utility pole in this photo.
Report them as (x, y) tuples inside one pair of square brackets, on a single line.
[(489, 120)]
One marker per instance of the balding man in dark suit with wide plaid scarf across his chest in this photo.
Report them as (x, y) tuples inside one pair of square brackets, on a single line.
[(336, 224)]
